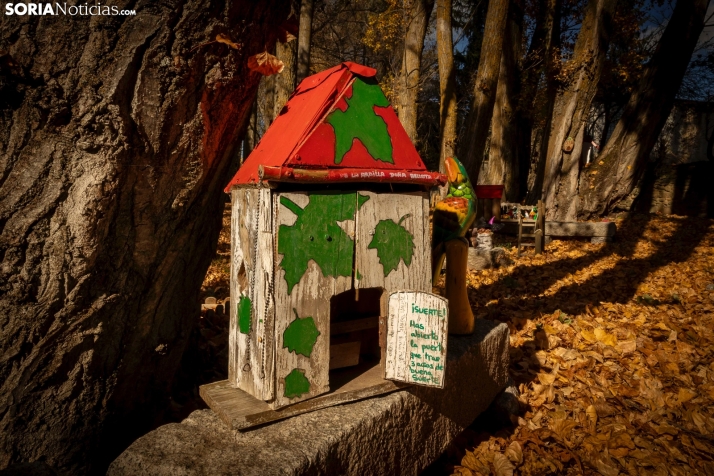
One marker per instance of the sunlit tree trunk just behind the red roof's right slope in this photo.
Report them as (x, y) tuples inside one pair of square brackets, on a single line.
[(416, 20)]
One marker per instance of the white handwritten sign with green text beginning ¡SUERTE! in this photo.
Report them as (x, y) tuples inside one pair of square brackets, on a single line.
[(417, 328)]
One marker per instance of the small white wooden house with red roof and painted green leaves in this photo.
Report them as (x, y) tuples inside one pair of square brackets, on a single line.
[(330, 215)]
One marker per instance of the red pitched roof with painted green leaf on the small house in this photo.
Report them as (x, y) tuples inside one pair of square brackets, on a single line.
[(309, 141)]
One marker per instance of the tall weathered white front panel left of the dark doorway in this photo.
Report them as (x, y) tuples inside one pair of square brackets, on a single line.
[(309, 298)]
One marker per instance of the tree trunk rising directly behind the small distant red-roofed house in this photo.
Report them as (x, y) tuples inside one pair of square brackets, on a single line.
[(503, 157)]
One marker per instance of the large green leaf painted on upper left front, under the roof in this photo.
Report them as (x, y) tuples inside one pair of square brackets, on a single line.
[(316, 236)]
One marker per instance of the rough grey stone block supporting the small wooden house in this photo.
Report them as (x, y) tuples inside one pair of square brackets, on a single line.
[(400, 433)]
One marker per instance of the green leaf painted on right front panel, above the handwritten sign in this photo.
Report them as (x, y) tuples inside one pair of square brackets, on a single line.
[(393, 243)]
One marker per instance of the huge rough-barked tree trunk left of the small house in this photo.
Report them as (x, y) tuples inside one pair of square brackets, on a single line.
[(116, 135)]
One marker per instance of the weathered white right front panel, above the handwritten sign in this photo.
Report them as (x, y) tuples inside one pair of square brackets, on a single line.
[(410, 211)]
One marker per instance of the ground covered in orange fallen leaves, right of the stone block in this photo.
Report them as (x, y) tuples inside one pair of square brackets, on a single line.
[(612, 351)]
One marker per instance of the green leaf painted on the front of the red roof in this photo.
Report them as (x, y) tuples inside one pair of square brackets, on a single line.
[(360, 121)]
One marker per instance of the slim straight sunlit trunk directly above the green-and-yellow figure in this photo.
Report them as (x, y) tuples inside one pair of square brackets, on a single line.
[(447, 81)]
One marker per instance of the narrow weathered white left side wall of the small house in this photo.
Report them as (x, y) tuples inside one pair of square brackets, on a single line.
[(250, 356)]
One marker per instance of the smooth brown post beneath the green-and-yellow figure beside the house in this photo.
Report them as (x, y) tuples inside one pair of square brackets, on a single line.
[(461, 318)]
